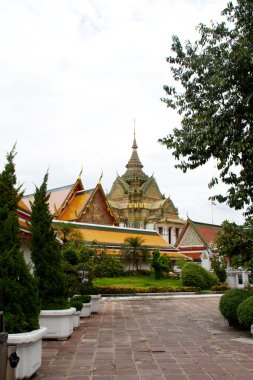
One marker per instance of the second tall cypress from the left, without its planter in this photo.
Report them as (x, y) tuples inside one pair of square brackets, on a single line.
[(46, 254)]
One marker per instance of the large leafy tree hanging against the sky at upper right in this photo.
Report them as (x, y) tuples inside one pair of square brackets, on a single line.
[(215, 99)]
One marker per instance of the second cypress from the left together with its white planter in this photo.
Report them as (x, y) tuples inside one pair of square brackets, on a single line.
[(56, 313)]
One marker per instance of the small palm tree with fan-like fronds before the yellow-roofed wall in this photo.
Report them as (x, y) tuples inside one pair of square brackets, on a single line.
[(134, 252)]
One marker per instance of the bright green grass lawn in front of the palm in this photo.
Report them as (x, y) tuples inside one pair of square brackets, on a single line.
[(139, 281)]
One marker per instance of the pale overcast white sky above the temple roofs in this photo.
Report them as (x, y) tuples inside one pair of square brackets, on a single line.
[(77, 75)]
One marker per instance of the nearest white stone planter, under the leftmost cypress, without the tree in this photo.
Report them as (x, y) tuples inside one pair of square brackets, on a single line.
[(29, 350)]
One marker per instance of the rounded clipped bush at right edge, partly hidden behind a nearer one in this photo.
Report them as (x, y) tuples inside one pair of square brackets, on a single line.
[(229, 303)]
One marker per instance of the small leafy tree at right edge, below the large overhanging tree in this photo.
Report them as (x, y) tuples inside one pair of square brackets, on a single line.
[(236, 242)]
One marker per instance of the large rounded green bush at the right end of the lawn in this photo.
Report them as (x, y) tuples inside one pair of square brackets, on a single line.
[(194, 275)]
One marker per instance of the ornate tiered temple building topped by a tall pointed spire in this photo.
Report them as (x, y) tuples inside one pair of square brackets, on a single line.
[(137, 202)]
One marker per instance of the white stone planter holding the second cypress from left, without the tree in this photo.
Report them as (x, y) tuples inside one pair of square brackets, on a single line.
[(59, 323)]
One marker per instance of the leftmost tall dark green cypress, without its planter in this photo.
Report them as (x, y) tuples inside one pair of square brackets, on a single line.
[(18, 291)]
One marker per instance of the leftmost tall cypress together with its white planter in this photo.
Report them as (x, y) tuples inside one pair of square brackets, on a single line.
[(19, 299)]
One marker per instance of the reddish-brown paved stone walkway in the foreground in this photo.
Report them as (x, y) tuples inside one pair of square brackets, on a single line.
[(151, 339)]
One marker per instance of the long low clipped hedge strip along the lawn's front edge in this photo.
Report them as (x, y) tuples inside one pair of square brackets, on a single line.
[(151, 289)]
